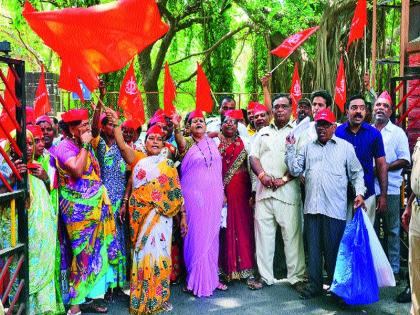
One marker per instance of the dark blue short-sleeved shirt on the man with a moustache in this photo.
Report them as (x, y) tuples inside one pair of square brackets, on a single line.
[(368, 144)]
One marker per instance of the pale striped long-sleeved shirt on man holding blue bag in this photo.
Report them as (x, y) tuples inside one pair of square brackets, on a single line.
[(328, 169)]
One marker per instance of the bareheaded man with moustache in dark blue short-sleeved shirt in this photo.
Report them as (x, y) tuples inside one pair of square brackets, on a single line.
[(368, 144)]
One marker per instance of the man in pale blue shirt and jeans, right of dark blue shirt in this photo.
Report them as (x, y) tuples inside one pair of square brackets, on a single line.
[(397, 156)]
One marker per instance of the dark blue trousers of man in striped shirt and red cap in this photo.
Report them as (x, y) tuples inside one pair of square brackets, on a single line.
[(323, 235)]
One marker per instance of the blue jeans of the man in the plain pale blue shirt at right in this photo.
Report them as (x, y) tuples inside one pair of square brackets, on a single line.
[(391, 225)]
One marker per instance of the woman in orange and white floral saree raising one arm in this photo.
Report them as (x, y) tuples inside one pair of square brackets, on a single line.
[(156, 198)]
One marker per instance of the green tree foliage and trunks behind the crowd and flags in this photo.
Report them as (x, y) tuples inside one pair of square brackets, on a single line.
[(232, 39)]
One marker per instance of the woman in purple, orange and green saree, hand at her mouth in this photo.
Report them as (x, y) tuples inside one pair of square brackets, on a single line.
[(87, 215)]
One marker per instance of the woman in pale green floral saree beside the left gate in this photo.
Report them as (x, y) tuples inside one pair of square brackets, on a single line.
[(42, 234)]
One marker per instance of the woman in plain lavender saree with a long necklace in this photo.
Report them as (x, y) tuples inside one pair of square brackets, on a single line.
[(202, 188)]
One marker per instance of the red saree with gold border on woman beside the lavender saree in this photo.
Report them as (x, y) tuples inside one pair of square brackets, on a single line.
[(237, 244)]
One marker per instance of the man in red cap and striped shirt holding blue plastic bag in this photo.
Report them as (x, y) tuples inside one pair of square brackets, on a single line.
[(329, 163)]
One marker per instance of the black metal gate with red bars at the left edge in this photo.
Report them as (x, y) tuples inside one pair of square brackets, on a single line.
[(14, 259)]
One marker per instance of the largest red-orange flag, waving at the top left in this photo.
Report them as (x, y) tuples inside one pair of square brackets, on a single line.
[(99, 39)]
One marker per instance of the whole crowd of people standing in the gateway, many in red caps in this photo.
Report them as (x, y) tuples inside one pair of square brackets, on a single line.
[(111, 207)]
